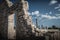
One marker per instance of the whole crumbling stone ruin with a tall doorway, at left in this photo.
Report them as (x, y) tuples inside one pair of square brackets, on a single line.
[(23, 22)]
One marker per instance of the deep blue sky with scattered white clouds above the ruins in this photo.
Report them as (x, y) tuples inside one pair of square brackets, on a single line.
[(47, 10)]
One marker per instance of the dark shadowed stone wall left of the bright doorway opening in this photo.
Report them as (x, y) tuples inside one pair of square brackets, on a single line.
[(3, 20)]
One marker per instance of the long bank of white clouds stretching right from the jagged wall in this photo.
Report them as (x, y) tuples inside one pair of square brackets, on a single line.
[(45, 16)]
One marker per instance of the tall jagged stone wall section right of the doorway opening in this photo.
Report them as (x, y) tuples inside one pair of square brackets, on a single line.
[(23, 29)]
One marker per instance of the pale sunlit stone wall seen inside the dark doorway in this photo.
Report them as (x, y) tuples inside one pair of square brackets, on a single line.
[(11, 30)]
